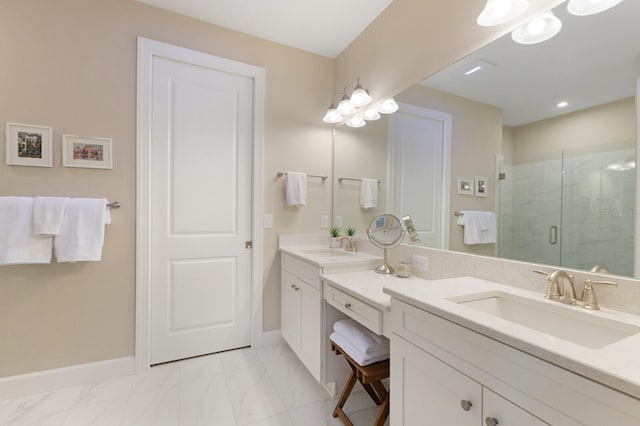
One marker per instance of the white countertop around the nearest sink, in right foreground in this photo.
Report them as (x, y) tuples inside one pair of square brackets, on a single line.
[(616, 365)]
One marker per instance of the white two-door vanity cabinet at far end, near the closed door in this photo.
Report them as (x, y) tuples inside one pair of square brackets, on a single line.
[(301, 312)]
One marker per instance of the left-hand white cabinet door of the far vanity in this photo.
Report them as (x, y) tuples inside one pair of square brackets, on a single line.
[(290, 310)]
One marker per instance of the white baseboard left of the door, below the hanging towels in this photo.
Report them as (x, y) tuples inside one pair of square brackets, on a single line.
[(49, 380)]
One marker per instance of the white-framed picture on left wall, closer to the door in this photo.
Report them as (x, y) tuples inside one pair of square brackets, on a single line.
[(86, 151)]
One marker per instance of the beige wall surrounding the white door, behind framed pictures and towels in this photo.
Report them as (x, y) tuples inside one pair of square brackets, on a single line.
[(71, 64)]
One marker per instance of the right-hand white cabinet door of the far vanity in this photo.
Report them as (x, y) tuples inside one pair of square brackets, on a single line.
[(310, 328)]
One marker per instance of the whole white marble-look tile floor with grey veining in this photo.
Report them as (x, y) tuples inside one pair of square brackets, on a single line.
[(257, 387)]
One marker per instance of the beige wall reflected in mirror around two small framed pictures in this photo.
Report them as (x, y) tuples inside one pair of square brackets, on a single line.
[(476, 140)]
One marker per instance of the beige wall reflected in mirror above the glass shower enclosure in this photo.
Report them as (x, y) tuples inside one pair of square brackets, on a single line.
[(608, 123)]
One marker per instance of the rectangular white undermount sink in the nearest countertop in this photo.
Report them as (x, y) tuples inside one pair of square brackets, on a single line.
[(557, 320)]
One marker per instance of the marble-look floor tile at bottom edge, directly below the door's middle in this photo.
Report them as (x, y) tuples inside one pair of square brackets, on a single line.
[(206, 402)]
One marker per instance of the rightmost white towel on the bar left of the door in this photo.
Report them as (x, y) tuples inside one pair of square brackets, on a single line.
[(82, 234)]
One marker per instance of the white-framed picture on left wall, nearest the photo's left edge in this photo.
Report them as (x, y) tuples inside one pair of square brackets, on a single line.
[(29, 145)]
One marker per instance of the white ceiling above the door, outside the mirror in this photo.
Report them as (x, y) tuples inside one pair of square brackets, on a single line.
[(323, 27)]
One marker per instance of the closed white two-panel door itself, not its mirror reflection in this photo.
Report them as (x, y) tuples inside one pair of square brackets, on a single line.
[(201, 207)]
